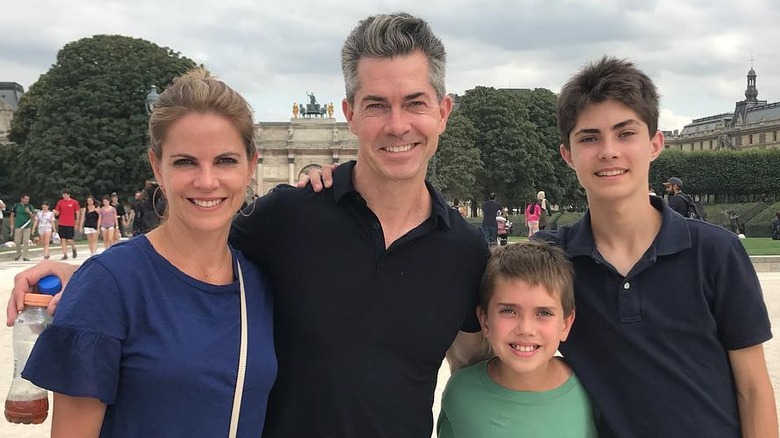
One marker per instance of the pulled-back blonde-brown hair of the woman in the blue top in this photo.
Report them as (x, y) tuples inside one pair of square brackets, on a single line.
[(197, 91)]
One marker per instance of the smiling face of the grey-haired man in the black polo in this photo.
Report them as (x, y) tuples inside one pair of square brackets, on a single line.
[(396, 117)]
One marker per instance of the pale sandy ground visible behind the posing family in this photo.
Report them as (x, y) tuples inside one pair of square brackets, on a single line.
[(770, 282)]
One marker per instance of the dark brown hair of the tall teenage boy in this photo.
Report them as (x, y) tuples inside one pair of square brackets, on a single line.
[(607, 79)]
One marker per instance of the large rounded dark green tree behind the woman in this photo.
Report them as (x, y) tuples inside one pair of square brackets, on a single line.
[(82, 124)]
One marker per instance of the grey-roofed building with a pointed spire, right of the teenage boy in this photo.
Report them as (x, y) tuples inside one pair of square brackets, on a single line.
[(754, 124)]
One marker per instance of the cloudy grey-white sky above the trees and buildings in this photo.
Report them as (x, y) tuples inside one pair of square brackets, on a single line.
[(697, 51)]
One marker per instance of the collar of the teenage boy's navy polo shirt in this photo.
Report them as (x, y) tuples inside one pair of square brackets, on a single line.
[(674, 235)]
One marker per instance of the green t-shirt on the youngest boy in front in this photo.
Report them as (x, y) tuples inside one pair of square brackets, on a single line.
[(473, 405)]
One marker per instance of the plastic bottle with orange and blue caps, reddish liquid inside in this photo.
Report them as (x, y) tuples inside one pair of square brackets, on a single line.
[(27, 403)]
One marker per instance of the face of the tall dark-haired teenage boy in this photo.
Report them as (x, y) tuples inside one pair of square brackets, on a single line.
[(611, 150)]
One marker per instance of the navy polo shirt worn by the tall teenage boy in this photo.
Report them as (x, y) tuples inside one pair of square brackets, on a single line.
[(652, 347)]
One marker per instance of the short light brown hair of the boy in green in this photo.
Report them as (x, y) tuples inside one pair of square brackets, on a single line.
[(537, 263)]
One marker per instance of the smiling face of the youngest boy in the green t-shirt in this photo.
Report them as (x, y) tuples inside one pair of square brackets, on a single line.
[(524, 325)]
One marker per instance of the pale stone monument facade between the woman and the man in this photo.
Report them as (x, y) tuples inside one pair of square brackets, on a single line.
[(289, 149)]
